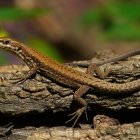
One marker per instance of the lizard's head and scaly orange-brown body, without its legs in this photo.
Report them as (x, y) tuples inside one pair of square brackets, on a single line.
[(62, 73)]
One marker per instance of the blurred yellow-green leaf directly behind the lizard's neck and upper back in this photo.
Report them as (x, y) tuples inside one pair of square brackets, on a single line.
[(45, 48)]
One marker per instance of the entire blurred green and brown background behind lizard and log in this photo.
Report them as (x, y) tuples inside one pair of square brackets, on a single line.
[(69, 30)]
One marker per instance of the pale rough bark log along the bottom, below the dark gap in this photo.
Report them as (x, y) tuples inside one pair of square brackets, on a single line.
[(118, 132)]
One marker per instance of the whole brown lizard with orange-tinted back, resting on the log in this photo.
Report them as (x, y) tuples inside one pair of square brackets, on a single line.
[(66, 75)]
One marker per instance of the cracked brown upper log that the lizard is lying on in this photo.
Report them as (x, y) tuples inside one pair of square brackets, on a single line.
[(40, 94)]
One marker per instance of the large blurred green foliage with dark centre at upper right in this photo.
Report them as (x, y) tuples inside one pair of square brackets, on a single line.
[(118, 20)]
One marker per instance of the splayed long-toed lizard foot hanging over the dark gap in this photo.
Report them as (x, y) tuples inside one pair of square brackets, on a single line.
[(77, 114)]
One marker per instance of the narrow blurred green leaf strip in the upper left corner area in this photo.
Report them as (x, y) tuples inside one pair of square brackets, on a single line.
[(13, 13)]
